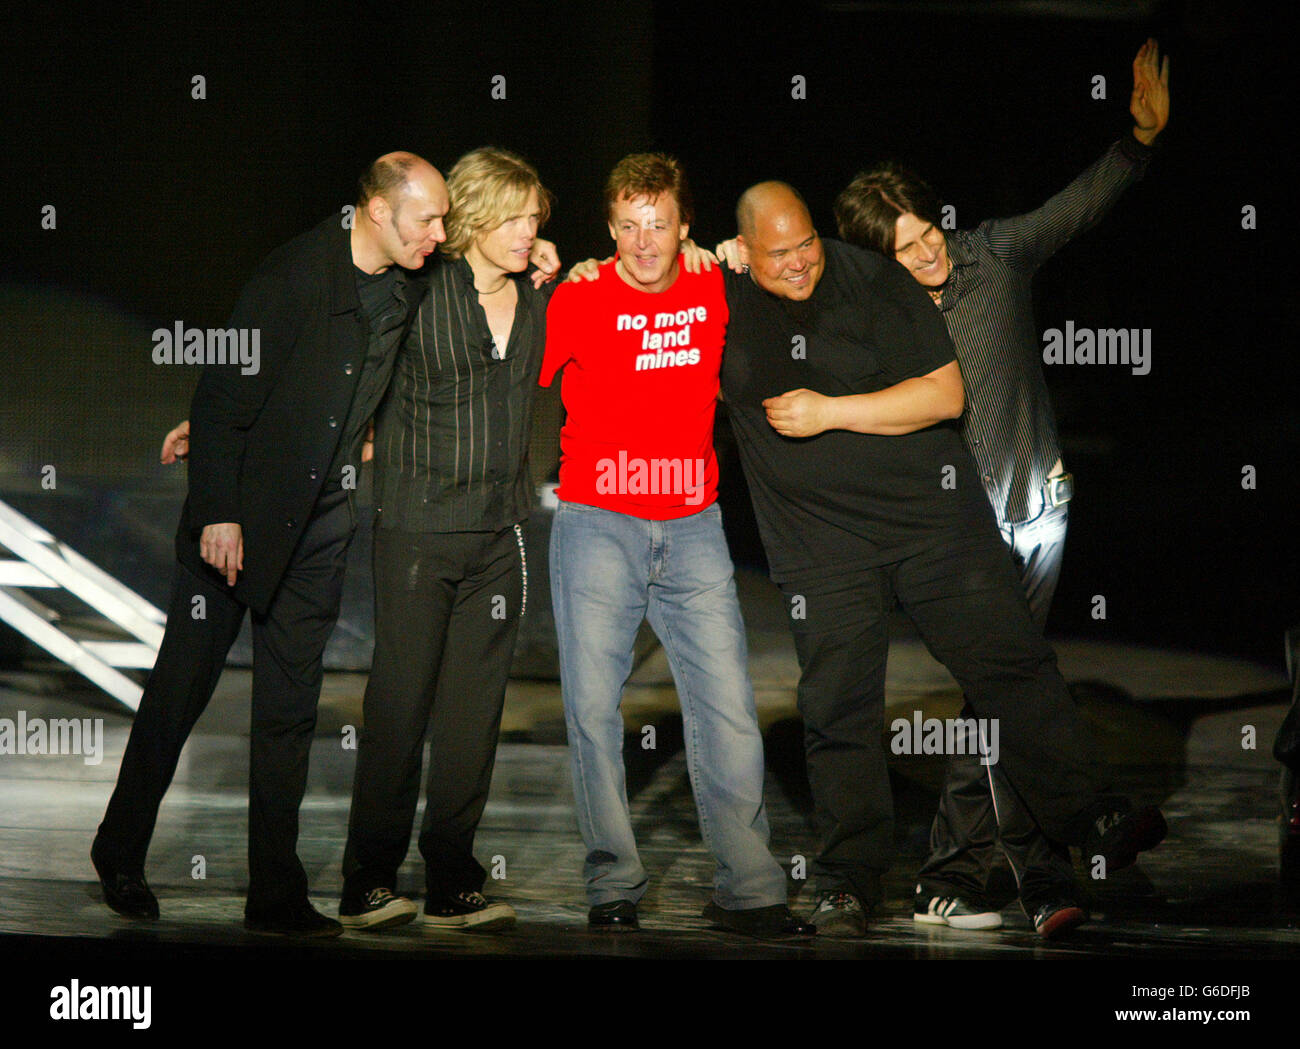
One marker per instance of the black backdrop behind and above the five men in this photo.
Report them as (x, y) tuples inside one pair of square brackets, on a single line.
[(166, 203)]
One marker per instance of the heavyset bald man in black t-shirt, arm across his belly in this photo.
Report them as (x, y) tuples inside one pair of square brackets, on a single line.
[(842, 385)]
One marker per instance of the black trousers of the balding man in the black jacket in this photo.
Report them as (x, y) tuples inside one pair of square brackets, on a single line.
[(289, 643)]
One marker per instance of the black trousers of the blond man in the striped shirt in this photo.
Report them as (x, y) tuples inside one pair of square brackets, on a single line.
[(447, 615)]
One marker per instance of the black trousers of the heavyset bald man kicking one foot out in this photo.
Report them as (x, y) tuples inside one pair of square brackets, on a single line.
[(967, 602)]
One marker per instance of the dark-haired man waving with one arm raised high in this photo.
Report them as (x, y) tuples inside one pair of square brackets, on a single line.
[(981, 281)]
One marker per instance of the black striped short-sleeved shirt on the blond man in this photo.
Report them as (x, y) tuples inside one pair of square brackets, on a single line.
[(452, 437)]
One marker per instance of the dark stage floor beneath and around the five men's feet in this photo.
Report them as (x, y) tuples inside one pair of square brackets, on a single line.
[(1172, 723)]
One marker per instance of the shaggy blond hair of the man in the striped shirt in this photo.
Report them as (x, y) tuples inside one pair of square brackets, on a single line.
[(488, 187)]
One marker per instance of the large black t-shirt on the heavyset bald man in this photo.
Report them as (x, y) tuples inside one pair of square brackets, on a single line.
[(843, 501)]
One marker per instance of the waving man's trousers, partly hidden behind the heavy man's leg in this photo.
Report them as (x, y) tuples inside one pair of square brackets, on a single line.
[(978, 810)]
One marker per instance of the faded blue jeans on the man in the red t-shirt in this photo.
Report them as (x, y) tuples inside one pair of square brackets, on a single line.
[(609, 573)]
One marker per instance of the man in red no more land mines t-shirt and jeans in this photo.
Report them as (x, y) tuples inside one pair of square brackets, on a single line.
[(639, 536)]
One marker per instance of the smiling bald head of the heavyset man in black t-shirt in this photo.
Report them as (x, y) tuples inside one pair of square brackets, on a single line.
[(778, 241)]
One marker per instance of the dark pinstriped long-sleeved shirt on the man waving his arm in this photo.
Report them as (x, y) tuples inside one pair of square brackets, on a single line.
[(1008, 426)]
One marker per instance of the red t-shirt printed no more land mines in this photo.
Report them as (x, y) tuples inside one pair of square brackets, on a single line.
[(640, 392)]
